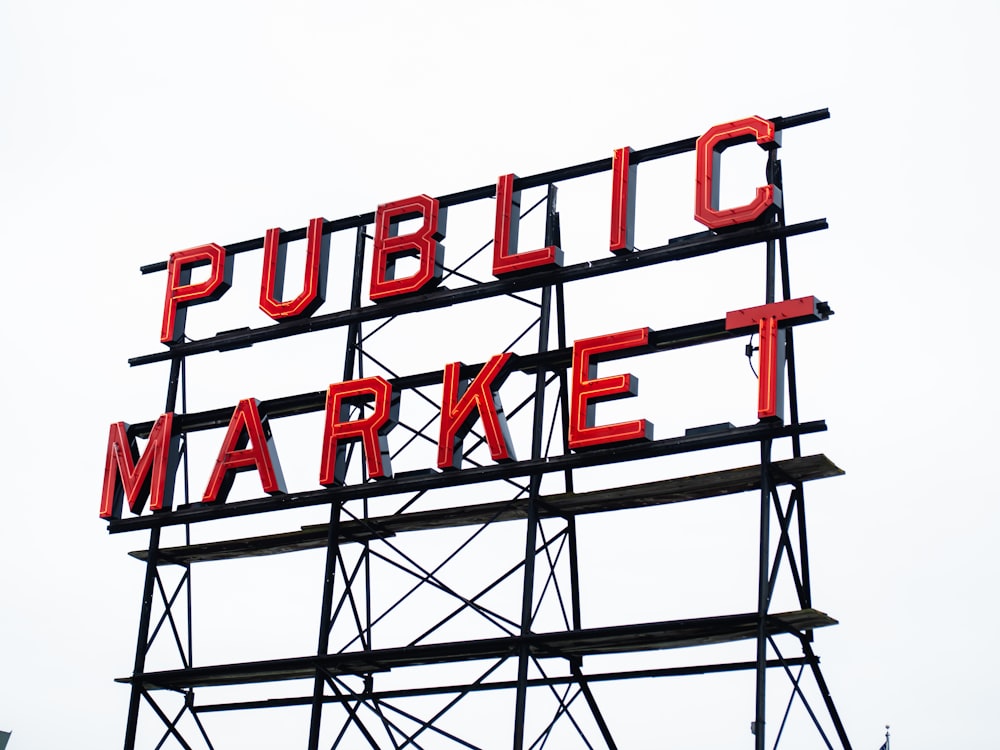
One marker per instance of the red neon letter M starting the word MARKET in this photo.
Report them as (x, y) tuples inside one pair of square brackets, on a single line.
[(139, 478)]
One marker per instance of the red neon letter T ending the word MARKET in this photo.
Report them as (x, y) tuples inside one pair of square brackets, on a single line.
[(771, 380)]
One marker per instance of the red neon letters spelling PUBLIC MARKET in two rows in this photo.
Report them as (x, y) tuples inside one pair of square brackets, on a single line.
[(365, 410)]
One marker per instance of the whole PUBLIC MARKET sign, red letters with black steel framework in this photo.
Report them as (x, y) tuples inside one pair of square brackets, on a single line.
[(470, 400)]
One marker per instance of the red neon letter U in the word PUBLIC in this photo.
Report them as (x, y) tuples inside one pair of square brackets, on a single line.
[(273, 279)]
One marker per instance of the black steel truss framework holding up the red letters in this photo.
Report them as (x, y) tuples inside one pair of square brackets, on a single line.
[(537, 651)]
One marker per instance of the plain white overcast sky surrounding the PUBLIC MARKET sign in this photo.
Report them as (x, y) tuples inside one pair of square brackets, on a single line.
[(129, 130)]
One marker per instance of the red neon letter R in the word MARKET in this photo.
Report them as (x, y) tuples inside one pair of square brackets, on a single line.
[(372, 430)]
